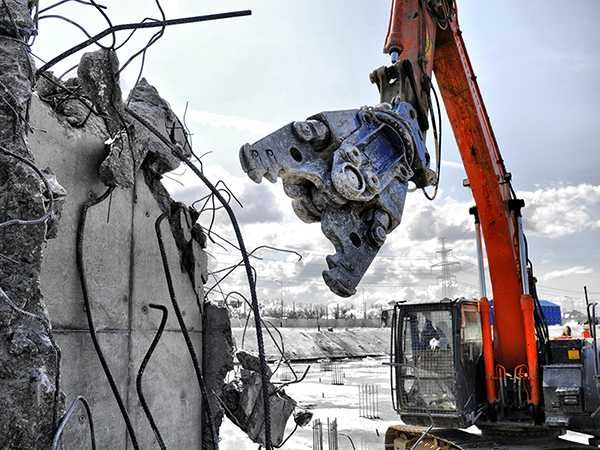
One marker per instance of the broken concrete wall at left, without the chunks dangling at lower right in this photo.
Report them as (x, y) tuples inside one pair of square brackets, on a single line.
[(90, 144)]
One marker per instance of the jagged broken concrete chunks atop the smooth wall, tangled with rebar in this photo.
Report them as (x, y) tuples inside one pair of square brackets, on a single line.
[(128, 144)]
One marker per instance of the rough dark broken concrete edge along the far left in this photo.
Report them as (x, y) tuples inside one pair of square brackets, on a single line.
[(28, 360)]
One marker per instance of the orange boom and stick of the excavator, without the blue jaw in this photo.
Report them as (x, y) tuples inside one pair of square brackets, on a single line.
[(424, 34)]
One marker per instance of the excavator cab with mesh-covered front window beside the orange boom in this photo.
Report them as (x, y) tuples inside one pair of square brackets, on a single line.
[(436, 363)]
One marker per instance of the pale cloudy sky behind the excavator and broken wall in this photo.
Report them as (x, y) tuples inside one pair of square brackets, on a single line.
[(538, 67)]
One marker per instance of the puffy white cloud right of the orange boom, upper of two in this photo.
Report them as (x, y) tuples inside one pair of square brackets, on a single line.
[(563, 210)]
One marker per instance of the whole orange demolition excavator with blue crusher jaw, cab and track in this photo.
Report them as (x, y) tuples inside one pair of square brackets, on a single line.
[(351, 170)]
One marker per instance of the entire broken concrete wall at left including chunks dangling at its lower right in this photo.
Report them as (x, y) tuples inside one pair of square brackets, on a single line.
[(86, 110)]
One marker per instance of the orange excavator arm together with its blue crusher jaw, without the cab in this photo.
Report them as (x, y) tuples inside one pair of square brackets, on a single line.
[(351, 170)]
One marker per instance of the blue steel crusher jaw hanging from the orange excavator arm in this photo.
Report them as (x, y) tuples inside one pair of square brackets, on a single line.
[(348, 170)]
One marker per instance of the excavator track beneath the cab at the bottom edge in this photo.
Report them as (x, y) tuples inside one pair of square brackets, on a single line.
[(404, 437)]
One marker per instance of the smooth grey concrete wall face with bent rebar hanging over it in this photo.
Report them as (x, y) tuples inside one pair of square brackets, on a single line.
[(125, 276)]
